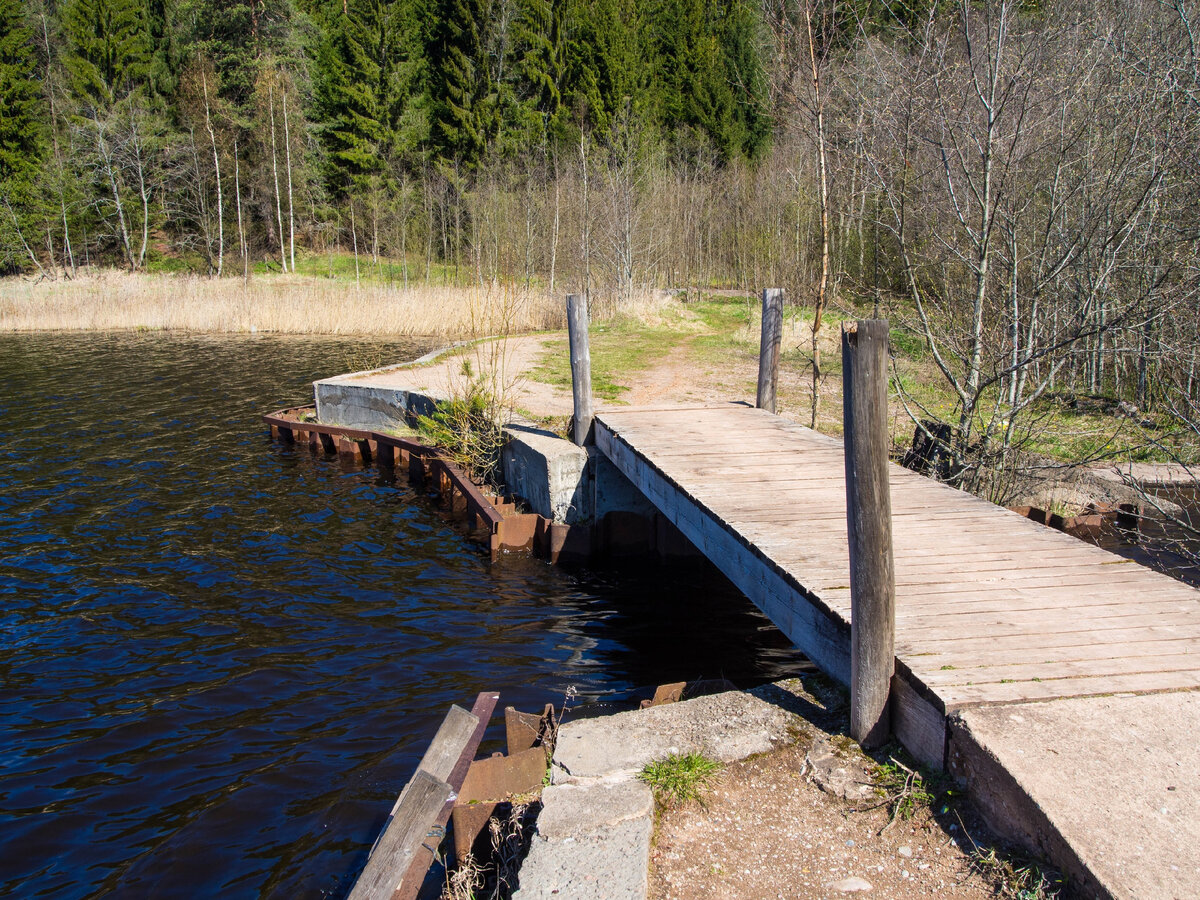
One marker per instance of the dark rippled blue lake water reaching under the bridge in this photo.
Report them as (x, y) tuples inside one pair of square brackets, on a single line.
[(220, 659)]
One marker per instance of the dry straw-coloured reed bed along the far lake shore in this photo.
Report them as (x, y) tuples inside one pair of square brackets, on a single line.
[(118, 302)]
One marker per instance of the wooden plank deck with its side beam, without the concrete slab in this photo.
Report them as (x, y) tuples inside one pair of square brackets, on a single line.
[(991, 607)]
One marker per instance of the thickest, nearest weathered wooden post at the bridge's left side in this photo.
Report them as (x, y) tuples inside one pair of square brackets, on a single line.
[(865, 359)]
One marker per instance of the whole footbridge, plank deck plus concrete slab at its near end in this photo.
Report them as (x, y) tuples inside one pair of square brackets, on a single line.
[(995, 617)]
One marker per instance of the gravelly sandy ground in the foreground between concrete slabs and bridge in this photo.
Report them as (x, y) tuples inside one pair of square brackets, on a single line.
[(807, 824)]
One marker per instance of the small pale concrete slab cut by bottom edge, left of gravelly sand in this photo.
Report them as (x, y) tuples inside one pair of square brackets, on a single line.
[(603, 866)]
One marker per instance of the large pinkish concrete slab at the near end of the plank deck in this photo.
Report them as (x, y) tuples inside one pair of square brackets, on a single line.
[(1107, 787)]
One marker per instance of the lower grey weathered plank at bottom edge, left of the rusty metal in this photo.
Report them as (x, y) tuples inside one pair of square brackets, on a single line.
[(406, 830)]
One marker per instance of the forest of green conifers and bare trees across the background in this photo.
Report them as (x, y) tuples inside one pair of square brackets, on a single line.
[(1015, 183)]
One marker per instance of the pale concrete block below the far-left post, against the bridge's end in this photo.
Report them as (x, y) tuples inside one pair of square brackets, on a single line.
[(549, 473)]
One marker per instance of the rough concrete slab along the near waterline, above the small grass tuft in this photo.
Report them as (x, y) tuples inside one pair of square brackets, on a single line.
[(724, 727)]
